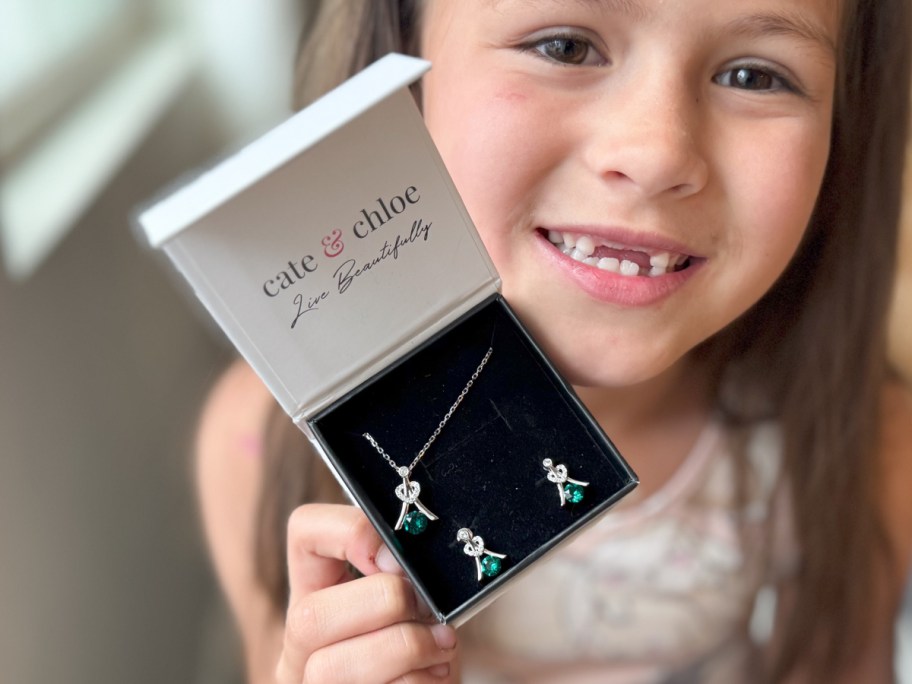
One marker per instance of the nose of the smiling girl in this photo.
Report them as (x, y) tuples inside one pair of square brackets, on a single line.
[(646, 135)]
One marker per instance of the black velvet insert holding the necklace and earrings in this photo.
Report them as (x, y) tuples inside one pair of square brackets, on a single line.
[(484, 471)]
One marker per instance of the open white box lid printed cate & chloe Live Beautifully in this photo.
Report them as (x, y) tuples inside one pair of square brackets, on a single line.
[(332, 245)]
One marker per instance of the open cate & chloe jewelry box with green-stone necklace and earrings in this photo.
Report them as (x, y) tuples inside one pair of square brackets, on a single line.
[(337, 256)]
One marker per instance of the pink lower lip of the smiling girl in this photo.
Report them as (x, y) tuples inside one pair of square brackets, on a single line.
[(615, 288)]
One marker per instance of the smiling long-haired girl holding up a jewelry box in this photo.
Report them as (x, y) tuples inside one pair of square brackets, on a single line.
[(734, 168)]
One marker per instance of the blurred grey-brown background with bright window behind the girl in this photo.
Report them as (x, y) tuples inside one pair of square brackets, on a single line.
[(104, 359)]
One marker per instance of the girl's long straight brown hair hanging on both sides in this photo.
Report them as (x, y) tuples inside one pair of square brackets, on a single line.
[(813, 347)]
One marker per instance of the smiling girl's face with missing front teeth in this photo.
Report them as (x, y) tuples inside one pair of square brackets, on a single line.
[(679, 144)]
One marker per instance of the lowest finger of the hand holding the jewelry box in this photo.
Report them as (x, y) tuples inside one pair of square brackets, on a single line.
[(404, 651)]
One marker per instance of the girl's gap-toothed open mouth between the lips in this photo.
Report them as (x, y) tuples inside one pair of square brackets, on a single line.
[(613, 257)]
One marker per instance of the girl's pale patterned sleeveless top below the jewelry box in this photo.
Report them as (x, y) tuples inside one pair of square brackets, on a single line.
[(660, 591)]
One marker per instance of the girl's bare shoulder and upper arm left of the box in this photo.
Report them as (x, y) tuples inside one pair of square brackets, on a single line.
[(229, 471)]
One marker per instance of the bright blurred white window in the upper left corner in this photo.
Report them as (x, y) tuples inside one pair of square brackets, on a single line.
[(83, 81)]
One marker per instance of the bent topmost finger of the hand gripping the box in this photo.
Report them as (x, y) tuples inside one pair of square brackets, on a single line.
[(322, 540)]
